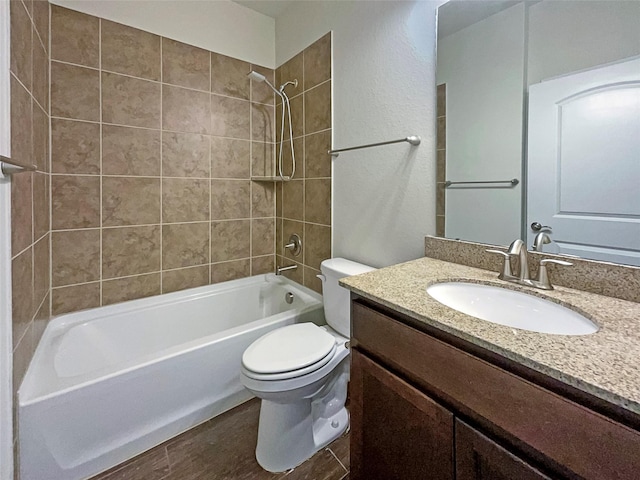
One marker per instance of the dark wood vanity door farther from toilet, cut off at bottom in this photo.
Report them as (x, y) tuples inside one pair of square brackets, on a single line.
[(479, 458)]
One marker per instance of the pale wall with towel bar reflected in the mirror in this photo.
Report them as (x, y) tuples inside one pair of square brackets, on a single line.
[(483, 67)]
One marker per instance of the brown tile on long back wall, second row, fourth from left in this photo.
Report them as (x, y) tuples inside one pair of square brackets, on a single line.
[(230, 117)]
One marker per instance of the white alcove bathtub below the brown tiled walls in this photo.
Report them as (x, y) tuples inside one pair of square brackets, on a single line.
[(109, 383)]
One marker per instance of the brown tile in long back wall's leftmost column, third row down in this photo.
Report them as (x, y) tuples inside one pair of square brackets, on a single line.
[(75, 147)]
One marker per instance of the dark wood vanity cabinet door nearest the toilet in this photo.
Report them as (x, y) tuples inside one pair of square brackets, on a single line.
[(397, 432)]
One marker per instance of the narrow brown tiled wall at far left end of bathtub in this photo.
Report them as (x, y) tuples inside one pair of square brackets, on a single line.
[(29, 191)]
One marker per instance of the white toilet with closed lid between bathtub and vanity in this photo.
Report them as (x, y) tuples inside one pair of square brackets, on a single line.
[(301, 373)]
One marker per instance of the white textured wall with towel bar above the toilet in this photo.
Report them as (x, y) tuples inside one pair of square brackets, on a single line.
[(383, 89)]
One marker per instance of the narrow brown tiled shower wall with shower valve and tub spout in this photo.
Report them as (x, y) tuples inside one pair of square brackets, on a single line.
[(303, 204)]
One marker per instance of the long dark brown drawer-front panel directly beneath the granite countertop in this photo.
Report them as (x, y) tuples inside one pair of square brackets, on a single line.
[(566, 437)]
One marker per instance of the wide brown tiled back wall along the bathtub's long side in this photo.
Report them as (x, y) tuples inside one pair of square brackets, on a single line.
[(153, 146)]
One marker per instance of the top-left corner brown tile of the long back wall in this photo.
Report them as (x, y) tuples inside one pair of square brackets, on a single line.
[(74, 37)]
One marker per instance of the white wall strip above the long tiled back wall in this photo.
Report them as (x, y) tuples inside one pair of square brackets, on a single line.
[(221, 26)]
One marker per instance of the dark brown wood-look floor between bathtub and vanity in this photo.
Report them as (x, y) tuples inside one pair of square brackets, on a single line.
[(223, 448)]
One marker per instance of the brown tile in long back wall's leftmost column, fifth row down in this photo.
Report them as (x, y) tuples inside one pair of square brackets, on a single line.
[(75, 257)]
